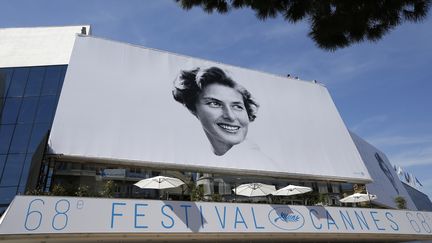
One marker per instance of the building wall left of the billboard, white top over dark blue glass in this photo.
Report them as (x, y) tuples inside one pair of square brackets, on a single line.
[(33, 63)]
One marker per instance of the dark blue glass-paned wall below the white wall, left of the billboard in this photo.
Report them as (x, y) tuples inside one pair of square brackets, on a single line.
[(28, 99)]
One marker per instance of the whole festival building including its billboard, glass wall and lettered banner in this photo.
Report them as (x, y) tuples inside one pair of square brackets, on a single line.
[(82, 113)]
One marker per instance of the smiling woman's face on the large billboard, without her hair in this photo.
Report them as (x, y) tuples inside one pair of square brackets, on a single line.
[(223, 116)]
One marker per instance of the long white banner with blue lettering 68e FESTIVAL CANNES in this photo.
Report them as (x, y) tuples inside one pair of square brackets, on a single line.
[(93, 215)]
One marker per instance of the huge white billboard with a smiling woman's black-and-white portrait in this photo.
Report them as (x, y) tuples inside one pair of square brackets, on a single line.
[(130, 103)]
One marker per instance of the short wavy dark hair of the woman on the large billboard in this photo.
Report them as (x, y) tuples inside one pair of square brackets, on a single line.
[(190, 84)]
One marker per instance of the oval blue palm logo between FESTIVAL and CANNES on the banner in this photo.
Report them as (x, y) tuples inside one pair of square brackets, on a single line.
[(286, 218)]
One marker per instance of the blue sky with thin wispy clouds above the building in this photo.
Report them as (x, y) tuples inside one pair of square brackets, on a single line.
[(382, 90)]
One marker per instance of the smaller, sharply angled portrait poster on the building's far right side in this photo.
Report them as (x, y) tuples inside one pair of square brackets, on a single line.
[(386, 183)]
